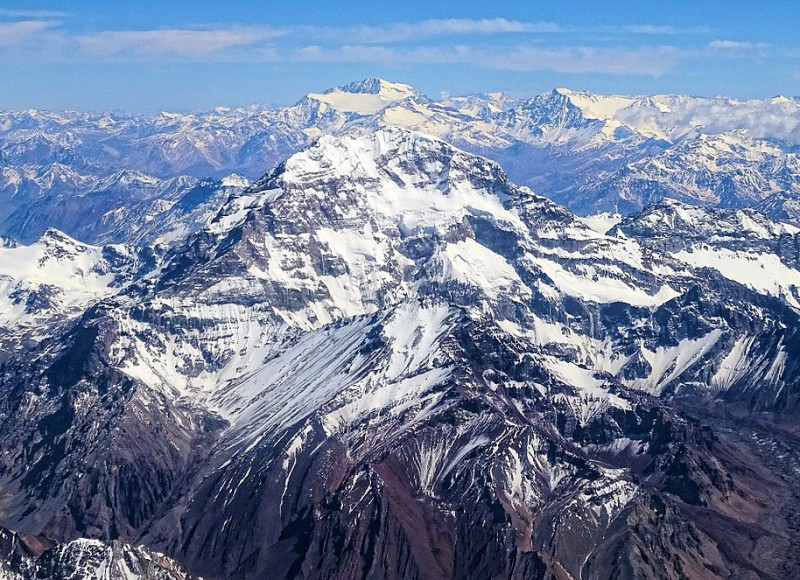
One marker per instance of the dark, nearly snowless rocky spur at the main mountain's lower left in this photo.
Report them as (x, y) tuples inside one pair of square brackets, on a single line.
[(83, 432)]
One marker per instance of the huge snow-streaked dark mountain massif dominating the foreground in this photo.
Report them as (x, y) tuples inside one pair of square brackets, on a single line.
[(385, 359)]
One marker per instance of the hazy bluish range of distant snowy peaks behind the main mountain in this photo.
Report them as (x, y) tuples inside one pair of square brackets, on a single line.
[(588, 152)]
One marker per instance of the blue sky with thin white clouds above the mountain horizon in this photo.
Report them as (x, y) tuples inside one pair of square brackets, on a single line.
[(178, 55)]
